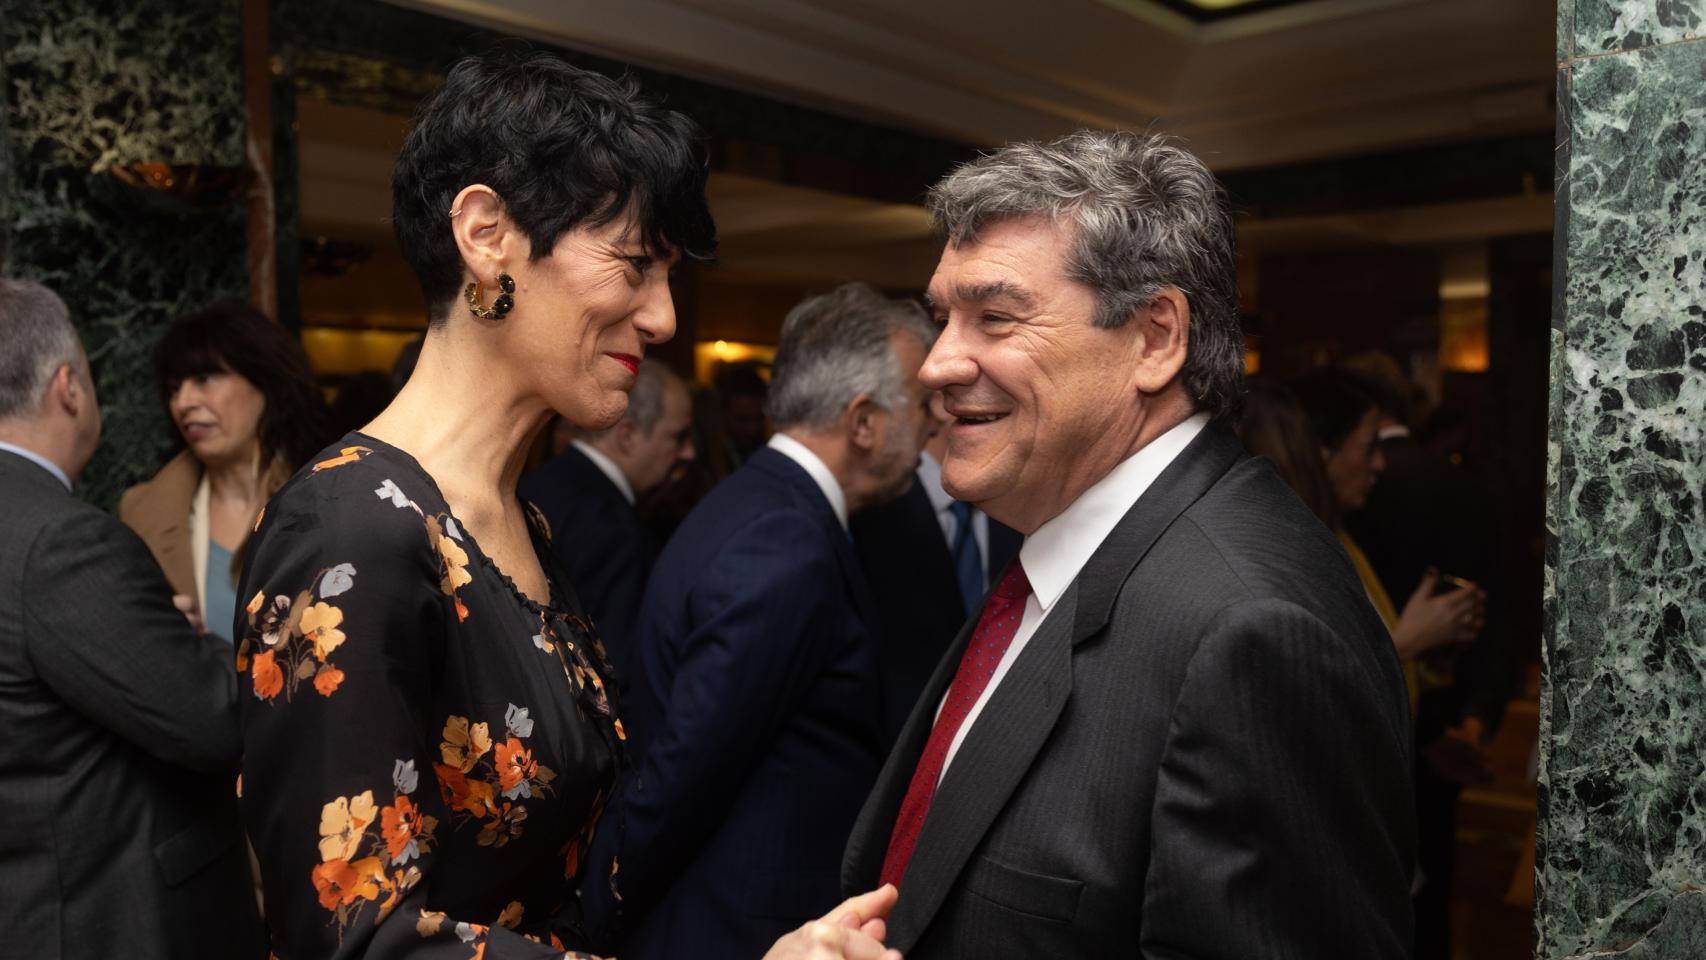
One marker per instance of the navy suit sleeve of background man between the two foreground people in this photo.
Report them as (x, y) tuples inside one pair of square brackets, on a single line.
[(760, 632)]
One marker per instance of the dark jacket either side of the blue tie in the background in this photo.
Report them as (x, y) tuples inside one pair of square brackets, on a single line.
[(912, 577)]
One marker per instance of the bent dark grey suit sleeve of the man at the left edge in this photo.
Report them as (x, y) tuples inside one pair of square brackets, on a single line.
[(105, 635)]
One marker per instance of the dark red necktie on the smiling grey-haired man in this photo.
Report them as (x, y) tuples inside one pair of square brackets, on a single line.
[(995, 632)]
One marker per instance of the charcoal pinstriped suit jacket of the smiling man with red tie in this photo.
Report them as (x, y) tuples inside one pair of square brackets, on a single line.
[(1204, 753)]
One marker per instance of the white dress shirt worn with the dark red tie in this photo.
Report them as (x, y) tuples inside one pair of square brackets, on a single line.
[(1059, 550)]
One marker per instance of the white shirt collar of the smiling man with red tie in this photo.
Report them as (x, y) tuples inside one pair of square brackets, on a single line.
[(1059, 550)]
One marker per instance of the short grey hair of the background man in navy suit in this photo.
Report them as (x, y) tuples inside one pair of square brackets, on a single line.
[(835, 347)]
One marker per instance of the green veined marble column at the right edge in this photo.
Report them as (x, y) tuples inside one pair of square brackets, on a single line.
[(1623, 729)]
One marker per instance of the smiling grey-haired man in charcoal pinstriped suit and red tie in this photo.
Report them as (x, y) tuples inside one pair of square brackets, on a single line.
[(1178, 729)]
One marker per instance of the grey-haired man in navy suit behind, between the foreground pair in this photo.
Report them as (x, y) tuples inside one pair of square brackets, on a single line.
[(757, 714)]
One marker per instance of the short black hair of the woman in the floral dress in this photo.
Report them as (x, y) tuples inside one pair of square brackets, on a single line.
[(562, 147)]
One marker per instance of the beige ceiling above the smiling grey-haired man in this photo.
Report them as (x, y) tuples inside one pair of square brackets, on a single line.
[(1320, 79)]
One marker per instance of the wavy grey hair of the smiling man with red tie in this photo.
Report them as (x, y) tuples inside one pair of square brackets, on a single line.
[(1149, 216)]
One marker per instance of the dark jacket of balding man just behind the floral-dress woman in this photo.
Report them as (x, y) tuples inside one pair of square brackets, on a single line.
[(601, 543)]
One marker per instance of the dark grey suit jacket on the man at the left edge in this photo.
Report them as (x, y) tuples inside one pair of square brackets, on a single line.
[(119, 818)]
